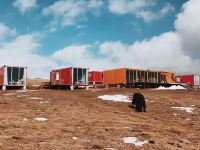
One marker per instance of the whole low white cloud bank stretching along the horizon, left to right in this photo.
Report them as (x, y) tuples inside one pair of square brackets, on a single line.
[(167, 51)]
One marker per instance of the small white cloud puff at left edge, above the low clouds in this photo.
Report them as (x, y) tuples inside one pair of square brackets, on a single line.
[(6, 31)]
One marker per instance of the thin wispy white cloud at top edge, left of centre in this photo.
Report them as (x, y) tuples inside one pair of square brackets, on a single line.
[(71, 12)]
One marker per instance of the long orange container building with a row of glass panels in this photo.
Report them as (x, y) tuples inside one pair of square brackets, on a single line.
[(134, 77)]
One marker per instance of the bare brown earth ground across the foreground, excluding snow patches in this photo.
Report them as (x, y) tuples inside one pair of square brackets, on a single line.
[(97, 124)]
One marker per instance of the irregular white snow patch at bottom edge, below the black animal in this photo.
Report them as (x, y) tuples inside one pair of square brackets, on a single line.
[(135, 141)]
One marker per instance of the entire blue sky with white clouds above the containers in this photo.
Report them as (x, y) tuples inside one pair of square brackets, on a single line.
[(100, 34)]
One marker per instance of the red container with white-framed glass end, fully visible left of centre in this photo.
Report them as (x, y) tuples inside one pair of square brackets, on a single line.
[(69, 76)]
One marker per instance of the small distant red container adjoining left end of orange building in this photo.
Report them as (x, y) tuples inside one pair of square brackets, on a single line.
[(95, 77)]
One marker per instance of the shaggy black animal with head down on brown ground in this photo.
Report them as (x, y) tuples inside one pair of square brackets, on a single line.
[(138, 102)]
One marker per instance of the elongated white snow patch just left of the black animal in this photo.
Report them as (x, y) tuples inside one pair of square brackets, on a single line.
[(116, 98)]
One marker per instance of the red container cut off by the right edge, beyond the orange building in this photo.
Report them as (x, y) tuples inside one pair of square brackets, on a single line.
[(193, 80)]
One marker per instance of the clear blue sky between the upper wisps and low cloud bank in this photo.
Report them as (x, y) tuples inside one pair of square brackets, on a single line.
[(104, 27)]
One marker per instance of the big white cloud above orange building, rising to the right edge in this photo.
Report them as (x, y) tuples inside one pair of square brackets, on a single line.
[(163, 52)]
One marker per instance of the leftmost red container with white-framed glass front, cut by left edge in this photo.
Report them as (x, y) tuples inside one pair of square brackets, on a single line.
[(13, 76)]
